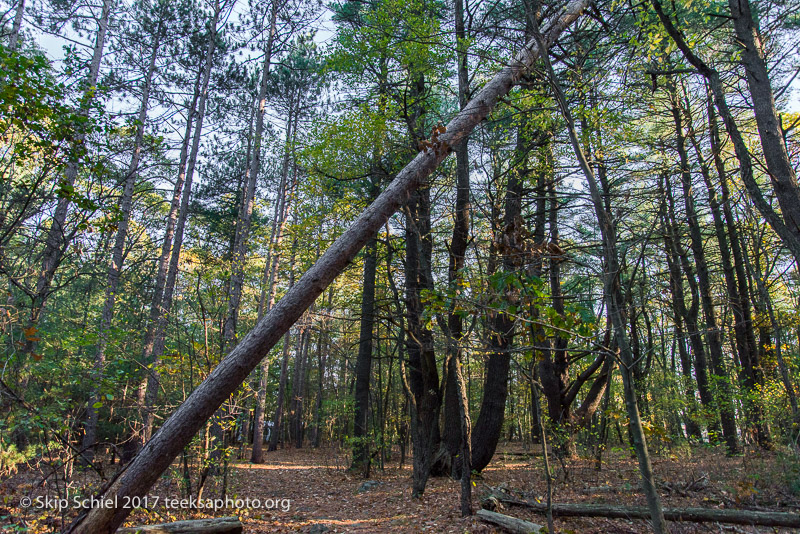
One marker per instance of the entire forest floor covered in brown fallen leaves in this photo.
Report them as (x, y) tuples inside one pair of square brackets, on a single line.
[(311, 491)]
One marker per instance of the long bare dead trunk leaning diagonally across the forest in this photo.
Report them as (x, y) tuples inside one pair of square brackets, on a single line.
[(180, 428)]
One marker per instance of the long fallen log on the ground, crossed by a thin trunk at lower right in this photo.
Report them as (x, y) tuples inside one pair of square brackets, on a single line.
[(696, 515)]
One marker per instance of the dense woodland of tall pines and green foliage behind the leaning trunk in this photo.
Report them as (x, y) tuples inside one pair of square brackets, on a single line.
[(627, 220)]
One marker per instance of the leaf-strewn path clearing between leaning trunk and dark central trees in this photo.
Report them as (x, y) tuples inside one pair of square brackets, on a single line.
[(323, 492)]
